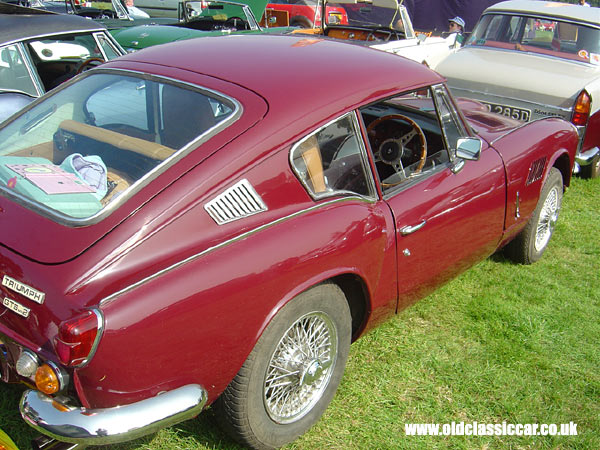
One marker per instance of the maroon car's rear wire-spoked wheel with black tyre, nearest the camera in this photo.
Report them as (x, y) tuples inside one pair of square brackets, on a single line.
[(292, 373)]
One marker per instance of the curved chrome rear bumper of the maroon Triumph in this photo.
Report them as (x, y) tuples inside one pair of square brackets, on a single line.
[(111, 425)]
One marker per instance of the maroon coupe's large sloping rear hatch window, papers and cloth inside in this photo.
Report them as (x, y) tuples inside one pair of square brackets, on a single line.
[(74, 155)]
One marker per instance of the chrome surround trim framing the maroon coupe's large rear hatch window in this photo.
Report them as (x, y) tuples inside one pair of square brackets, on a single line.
[(66, 220)]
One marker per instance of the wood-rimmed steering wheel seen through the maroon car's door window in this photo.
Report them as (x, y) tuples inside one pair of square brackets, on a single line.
[(390, 149)]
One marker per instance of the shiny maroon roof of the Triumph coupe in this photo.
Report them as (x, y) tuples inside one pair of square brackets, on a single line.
[(291, 68)]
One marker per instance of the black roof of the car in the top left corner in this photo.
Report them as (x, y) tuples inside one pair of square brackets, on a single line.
[(18, 27)]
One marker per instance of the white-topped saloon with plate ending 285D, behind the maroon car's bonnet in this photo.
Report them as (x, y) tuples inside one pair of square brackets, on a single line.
[(534, 59)]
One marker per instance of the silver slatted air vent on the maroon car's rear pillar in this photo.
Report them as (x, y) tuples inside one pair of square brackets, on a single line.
[(237, 202)]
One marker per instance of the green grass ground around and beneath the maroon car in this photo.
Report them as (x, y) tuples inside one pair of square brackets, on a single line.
[(503, 342)]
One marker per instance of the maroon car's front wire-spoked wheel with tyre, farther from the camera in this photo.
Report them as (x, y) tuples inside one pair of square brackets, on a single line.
[(530, 243)]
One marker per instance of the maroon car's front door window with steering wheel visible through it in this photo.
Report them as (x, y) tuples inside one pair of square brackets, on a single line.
[(405, 137)]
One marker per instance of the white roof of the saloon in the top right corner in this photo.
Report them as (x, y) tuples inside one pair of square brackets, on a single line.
[(576, 13)]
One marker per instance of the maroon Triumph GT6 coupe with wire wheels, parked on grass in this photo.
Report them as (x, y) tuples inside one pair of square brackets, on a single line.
[(177, 231)]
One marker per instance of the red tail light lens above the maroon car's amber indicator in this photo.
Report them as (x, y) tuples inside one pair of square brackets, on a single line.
[(77, 338)]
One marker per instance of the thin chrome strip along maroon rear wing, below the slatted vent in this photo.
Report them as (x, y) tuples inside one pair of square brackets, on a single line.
[(239, 237)]
